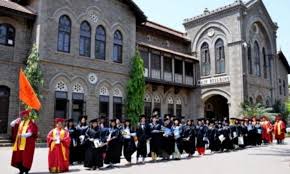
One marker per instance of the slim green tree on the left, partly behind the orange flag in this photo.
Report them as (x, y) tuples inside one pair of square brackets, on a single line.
[(34, 75)]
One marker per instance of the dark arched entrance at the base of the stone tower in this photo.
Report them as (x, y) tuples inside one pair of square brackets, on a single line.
[(216, 107)]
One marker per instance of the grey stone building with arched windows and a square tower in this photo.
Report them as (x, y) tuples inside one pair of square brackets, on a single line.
[(226, 56)]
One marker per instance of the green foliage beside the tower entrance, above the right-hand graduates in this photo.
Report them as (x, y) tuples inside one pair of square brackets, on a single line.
[(254, 110)]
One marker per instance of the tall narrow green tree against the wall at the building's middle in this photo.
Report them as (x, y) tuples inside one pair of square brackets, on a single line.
[(135, 90)]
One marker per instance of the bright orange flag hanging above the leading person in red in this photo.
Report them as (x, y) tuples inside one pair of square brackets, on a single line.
[(26, 92)]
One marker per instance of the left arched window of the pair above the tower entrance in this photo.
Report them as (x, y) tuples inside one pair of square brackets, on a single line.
[(205, 59)]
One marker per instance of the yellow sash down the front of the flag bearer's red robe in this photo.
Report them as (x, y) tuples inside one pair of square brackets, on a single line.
[(20, 142)]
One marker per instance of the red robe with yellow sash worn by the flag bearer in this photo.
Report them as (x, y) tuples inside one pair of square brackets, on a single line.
[(23, 148)]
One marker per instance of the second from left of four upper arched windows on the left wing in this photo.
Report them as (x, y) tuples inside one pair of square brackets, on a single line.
[(85, 39)]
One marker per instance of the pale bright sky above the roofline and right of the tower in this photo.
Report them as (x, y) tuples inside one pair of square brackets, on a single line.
[(171, 13)]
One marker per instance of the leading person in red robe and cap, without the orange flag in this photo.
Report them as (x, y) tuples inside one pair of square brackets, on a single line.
[(24, 145)]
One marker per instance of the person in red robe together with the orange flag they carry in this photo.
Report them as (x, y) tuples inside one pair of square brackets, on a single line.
[(25, 129)]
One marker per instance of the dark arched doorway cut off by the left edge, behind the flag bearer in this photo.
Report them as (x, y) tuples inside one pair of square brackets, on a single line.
[(4, 108)]
